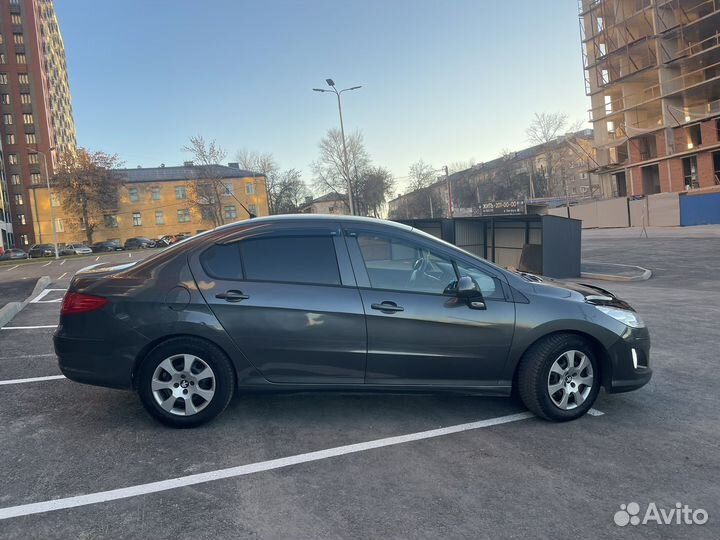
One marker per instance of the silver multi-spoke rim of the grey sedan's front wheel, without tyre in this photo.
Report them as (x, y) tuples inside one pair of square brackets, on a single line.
[(570, 380)]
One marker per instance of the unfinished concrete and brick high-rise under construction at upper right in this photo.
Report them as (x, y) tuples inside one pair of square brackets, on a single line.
[(653, 75)]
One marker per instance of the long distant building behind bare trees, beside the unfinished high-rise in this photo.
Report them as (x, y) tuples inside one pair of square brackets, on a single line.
[(557, 169)]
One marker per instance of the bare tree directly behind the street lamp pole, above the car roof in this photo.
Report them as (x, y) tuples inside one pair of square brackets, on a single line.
[(331, 171)]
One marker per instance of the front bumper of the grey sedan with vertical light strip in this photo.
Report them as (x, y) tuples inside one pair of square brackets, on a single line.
[(624, 374)]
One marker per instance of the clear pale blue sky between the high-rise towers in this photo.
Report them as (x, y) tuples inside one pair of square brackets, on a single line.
[(442, 81)]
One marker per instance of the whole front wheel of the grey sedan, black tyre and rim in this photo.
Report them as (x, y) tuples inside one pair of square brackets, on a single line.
[(558, 378)]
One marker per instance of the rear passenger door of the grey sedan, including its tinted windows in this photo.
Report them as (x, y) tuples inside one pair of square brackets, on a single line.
[(287, 296)]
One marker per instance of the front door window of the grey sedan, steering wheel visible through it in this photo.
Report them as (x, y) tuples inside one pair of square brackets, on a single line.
[(404, 266)]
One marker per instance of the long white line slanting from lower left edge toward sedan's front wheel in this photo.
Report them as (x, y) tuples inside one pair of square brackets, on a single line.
[(243, 470)]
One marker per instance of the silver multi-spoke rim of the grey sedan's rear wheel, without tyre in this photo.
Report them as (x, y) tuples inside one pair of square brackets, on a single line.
[(183, 384)]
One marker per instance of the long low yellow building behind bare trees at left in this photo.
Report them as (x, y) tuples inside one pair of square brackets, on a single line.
[(153, 202)]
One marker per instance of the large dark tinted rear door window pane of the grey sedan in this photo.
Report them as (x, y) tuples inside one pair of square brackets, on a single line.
[(291, 259)]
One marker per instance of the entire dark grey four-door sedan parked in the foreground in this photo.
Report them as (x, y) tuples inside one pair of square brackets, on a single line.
[(327, 302)]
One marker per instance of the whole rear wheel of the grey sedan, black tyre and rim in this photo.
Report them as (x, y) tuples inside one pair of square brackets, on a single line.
[(177, 389)]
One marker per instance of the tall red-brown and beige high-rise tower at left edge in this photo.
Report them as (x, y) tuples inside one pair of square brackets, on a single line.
[(36, 122)]
